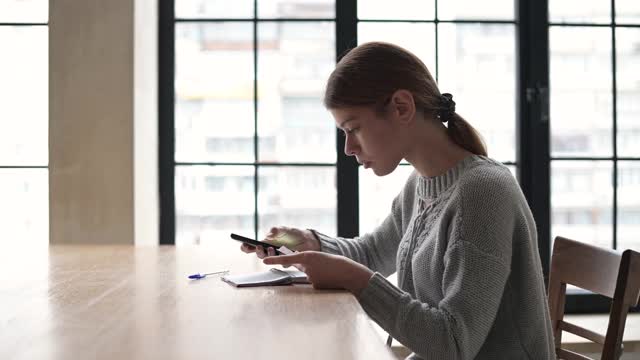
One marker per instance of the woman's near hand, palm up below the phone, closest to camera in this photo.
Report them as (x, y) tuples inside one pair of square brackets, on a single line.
[(327, 271)]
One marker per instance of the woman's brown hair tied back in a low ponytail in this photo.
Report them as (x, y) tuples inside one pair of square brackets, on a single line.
[(370, 73)]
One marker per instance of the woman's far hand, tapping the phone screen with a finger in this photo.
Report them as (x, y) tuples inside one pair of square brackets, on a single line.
[(292, 238)]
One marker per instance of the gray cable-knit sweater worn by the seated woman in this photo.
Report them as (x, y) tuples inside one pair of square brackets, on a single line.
[(465, 248)]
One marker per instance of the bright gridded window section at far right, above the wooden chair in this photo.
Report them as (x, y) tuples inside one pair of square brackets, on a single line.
[(595, 132)]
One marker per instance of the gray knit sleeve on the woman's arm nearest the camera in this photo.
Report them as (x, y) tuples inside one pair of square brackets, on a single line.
[(476, 263)]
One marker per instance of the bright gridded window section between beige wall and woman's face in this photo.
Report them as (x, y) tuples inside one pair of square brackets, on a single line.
[(253, 145)]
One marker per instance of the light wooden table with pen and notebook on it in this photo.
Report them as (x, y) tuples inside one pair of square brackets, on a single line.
[(125, 302)]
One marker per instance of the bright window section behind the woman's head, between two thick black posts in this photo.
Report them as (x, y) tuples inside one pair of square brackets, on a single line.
[(469, 47)]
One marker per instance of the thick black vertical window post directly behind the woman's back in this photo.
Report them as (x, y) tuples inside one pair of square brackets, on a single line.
[(533, 118)]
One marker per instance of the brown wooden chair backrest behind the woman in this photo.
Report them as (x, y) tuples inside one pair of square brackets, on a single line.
[(604, 271)]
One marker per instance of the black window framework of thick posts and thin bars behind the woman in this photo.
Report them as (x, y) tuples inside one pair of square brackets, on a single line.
[(533, 158)]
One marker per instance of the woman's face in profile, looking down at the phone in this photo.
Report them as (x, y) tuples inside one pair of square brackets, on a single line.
[(373, 139)]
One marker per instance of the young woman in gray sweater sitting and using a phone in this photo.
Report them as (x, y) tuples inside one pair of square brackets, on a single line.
[(460, 234)]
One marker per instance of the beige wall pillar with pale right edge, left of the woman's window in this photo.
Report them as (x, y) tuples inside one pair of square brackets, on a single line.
[(103, 121)]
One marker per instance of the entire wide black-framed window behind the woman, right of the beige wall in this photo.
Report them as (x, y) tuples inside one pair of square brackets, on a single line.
[(552, 86)]
